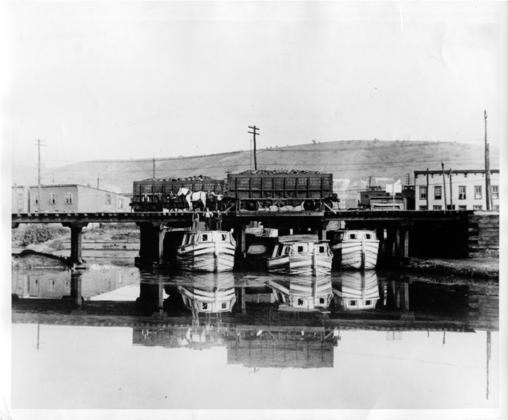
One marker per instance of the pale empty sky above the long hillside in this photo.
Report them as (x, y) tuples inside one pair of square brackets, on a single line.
[(108, 80)]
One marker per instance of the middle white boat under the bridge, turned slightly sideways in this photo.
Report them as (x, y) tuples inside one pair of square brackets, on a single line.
[(300, 255)]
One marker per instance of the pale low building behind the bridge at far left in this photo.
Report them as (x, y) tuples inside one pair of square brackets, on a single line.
[(74, 198)]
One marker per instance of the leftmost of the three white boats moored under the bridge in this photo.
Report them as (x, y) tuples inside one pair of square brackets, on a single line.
[(208, 250)]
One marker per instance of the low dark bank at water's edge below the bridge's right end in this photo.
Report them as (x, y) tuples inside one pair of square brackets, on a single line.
[(477, 268)]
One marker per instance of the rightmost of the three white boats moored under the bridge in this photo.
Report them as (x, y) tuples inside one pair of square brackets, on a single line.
[(358, 249)]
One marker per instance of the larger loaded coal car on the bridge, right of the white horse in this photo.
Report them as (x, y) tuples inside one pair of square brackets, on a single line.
[(273, 190)]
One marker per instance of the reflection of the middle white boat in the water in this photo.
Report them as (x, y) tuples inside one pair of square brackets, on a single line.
[(302, 293)]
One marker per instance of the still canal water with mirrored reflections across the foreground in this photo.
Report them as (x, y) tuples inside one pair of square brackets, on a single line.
[(121, 337)]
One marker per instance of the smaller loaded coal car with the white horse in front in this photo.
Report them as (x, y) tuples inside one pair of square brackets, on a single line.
[(159, 194)]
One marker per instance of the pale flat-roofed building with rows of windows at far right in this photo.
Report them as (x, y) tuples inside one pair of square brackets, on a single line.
[(462, 189)]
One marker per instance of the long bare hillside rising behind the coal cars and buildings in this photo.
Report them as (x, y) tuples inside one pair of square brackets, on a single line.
[(351, 161)]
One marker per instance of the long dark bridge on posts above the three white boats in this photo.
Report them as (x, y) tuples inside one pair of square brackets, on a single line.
[(402, 233)]
